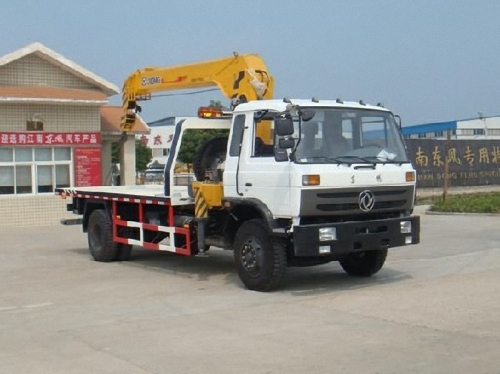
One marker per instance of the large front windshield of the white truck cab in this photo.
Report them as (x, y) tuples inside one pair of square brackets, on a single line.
[(349, 136)]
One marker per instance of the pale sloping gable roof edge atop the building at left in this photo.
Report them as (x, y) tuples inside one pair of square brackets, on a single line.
[(55, 58)]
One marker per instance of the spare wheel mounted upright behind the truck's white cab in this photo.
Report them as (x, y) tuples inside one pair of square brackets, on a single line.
[(207, 157)]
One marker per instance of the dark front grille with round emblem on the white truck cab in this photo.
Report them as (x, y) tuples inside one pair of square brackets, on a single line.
[(346, 201)]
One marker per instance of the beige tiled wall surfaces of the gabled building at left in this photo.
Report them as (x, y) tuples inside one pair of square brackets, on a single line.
[(40, 209)]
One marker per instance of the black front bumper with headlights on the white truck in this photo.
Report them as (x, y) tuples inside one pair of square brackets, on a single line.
[(354, 236)]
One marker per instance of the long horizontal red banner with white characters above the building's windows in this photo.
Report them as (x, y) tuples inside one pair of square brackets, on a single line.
[(49, 138)]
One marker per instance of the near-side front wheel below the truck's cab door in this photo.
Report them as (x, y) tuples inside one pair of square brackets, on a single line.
[(261, 265)]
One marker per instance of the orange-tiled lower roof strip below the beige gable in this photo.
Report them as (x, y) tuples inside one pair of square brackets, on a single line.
[(43, 94)]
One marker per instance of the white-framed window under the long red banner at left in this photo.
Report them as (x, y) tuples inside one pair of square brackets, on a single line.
[(29, 170)]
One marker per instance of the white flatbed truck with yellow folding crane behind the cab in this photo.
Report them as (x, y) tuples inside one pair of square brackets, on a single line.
[(284, 183)]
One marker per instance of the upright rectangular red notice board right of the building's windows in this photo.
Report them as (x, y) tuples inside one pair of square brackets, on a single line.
[(87, 167)]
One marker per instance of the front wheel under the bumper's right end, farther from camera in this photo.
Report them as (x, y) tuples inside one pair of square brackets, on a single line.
[(364, 264)]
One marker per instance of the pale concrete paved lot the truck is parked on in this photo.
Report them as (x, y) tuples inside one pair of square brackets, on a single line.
[(434, 308)]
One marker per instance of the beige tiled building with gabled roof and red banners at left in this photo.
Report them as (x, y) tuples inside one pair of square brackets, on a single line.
[(56, 130)]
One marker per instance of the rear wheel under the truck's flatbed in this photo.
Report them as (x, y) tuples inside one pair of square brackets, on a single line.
[(100, 237)]
